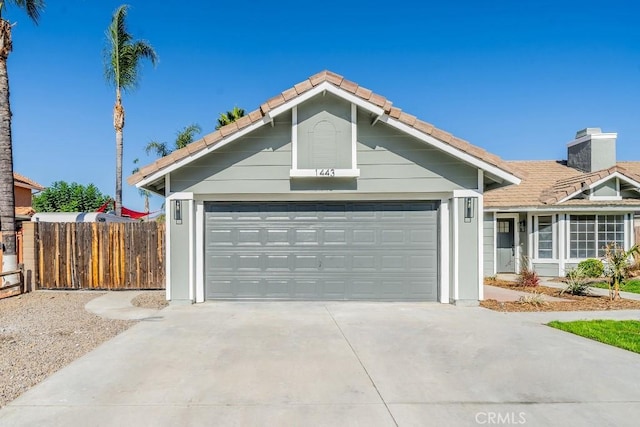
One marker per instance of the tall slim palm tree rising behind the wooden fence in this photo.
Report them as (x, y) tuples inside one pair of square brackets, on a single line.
[(123, 57)]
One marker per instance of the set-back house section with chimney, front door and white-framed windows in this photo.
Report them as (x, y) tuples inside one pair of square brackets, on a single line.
[(563, 211)]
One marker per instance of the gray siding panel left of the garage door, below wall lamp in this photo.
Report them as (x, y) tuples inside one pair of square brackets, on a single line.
[(179, 247)]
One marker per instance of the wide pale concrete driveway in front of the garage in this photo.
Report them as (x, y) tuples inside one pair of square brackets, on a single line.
[(368, 364)]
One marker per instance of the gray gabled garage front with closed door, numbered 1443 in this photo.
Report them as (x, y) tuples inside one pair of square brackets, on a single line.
[(326, 192)]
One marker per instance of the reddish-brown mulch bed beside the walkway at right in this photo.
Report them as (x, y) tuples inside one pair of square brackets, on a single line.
[(576, 303)]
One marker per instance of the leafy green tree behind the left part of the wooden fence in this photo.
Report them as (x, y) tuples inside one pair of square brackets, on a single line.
[(74, 197)]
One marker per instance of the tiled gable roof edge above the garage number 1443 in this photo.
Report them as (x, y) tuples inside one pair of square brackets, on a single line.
[(299, 89)]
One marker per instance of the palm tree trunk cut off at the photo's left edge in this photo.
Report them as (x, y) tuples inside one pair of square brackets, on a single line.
[(32, 8)]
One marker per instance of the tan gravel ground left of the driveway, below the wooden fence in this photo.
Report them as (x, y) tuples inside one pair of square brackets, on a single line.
[(43, 331)]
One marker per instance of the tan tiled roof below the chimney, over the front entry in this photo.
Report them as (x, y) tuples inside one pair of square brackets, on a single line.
[(546, 182)]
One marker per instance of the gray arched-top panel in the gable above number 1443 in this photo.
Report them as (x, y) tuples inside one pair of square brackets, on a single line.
[(324, 133)]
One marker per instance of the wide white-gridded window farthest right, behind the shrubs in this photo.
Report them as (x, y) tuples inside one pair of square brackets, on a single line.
[(589, 234)]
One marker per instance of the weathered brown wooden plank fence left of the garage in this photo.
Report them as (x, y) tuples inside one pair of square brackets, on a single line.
[(99, 255)]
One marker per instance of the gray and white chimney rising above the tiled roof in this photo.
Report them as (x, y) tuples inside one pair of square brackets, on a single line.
[(592, 150)]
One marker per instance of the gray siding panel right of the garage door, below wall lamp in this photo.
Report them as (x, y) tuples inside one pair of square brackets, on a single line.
[(468, 279)]
